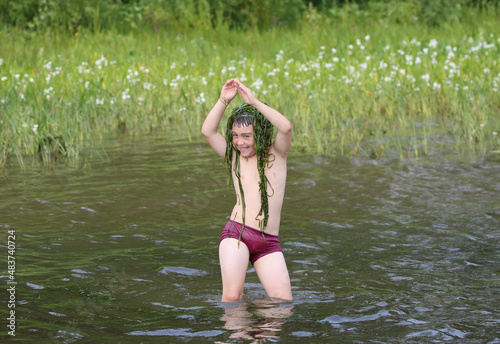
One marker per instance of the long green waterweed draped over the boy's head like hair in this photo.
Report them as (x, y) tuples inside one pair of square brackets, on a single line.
[(245, 115)]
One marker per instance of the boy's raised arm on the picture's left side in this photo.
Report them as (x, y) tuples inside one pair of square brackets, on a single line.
[(211, 123)]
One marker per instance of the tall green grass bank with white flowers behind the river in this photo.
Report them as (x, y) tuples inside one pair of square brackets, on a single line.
[(352, 81)]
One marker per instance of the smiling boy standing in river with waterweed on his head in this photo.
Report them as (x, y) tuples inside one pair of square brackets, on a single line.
[(255, 166)]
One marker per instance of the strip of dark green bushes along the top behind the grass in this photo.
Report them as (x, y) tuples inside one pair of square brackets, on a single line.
[(73, 16)]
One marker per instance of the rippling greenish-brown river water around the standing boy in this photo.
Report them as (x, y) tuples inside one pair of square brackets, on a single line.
[(379, 251)]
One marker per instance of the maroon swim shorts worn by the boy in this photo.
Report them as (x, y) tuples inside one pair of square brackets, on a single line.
[(253, 238)]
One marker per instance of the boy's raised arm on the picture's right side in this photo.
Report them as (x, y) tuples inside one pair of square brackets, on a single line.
[(283, 140)]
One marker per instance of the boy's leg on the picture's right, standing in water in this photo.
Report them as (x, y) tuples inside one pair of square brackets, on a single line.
[(273, 274)]
